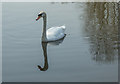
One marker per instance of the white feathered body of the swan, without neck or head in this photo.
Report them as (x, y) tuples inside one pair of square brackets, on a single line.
[(55, 33)]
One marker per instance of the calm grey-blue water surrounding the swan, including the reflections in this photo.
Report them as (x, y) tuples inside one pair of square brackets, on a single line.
[(88, 53)]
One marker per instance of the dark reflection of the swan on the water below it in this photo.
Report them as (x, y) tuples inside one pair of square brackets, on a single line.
[(44, 46)]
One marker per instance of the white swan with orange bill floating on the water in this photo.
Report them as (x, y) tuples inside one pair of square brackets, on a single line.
[(52, 34)]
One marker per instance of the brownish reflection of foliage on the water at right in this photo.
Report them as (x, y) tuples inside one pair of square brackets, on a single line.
[(102, 28)]
